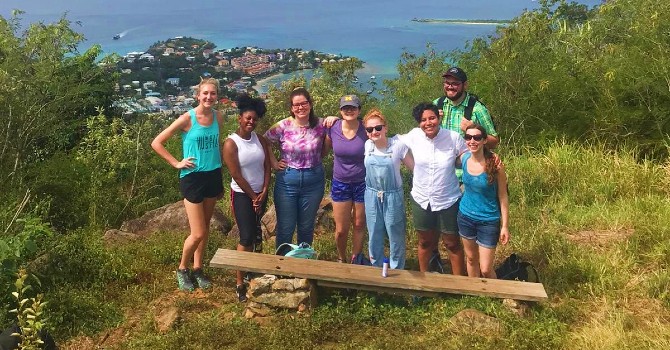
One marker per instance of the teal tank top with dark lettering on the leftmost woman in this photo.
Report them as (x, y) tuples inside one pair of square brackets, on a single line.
[(201, 143)]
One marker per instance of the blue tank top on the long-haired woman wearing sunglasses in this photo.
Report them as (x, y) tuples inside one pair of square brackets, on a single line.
[(480, 200)]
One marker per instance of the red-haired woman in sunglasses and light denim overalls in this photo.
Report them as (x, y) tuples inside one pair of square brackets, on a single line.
[(384, 199)]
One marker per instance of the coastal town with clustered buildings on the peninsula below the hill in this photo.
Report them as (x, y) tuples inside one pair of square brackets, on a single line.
[(161, 79)]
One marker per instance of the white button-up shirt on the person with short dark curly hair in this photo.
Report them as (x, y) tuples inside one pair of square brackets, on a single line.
[(434, 180)]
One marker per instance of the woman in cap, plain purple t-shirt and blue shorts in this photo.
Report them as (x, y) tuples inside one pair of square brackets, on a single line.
[(347, 138)]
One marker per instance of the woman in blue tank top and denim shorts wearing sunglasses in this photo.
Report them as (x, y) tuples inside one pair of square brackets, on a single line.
[(483, 212)]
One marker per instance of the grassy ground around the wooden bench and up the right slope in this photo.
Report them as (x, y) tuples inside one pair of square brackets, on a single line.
[(607, 292)]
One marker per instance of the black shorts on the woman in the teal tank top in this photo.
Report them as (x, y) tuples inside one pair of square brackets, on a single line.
[(197, 186)]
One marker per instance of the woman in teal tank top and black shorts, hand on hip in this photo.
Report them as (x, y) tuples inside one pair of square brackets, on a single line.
[(200, 179)]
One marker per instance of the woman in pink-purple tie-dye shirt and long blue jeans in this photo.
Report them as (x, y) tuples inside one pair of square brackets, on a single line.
[(300, 182)]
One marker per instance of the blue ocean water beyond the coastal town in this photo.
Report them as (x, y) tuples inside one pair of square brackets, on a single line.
[(376, 31)]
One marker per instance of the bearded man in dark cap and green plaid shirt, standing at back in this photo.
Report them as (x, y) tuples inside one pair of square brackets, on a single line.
[(453, 110)]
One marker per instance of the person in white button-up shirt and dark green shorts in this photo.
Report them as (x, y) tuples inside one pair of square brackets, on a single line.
[(435, 189)]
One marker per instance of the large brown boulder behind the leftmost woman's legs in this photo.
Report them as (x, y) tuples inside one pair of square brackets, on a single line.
[(172, 217)]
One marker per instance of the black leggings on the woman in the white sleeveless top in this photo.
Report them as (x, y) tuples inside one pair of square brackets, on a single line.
[(248, 222)]
